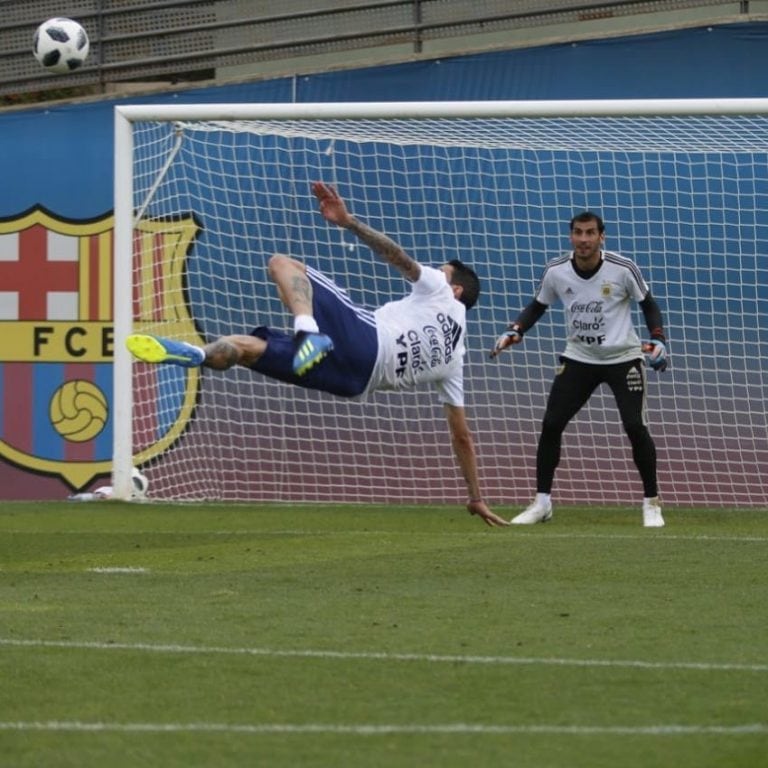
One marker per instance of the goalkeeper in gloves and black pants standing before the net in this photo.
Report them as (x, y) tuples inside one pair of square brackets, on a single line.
[(597, 289)]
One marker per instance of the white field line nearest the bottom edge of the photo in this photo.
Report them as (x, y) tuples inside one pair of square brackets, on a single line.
[(365, 729)]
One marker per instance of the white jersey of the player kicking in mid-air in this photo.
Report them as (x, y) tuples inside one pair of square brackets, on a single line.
[(421, 339)]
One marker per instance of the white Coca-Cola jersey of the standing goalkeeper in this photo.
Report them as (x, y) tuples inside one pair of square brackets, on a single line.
[(598, 310)]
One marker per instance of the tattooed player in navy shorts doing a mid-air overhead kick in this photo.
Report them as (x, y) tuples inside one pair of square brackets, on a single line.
[(348, 351)]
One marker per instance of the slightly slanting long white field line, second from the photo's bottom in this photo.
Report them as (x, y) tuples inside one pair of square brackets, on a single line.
[(386, 657)]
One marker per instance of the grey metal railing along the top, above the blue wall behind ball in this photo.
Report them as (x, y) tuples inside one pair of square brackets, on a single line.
[(187, 40)]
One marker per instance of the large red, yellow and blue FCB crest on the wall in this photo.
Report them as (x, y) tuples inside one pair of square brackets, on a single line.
[(57, 339)]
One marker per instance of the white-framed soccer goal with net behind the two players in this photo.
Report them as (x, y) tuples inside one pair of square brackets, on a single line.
[(205, 194)]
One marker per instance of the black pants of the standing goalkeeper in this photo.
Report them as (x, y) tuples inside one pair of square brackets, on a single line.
[(573, 386)]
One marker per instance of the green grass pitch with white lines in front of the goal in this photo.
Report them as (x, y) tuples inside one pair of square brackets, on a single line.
[(278, 635)]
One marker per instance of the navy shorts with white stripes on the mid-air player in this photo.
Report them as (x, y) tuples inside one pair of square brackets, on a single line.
[(347, 369)]
